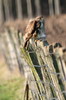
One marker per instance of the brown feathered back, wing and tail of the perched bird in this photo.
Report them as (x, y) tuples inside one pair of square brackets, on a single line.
[(31, 29)]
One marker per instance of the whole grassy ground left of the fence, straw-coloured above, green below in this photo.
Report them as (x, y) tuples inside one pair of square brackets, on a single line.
[(11, 83)]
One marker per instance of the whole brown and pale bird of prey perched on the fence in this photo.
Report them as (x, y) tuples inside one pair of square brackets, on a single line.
[(35, 29)]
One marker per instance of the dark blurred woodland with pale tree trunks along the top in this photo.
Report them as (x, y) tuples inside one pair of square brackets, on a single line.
[(13, 9)]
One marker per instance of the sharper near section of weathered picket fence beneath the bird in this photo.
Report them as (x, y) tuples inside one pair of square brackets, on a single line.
[(48, 70)]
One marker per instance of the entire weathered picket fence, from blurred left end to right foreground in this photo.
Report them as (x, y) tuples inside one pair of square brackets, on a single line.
[(44, 66)]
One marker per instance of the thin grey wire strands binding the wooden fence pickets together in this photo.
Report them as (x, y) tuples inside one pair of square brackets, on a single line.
[(48, 70)]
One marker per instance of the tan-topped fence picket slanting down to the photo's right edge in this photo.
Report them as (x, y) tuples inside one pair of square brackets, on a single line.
[(61, 65)]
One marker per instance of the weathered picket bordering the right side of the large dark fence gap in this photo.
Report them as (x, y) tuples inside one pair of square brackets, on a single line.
[(46, 79)]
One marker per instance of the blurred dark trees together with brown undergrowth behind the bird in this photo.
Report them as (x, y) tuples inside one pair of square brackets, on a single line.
[(16, 13)]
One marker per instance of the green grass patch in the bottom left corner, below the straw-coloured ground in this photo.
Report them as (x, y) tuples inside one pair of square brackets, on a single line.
[(12, 90)]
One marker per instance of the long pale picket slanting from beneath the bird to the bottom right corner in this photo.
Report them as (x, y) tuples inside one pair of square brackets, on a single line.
[(48, 60)]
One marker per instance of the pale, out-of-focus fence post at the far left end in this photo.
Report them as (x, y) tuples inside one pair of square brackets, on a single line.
[(10, 49)]
